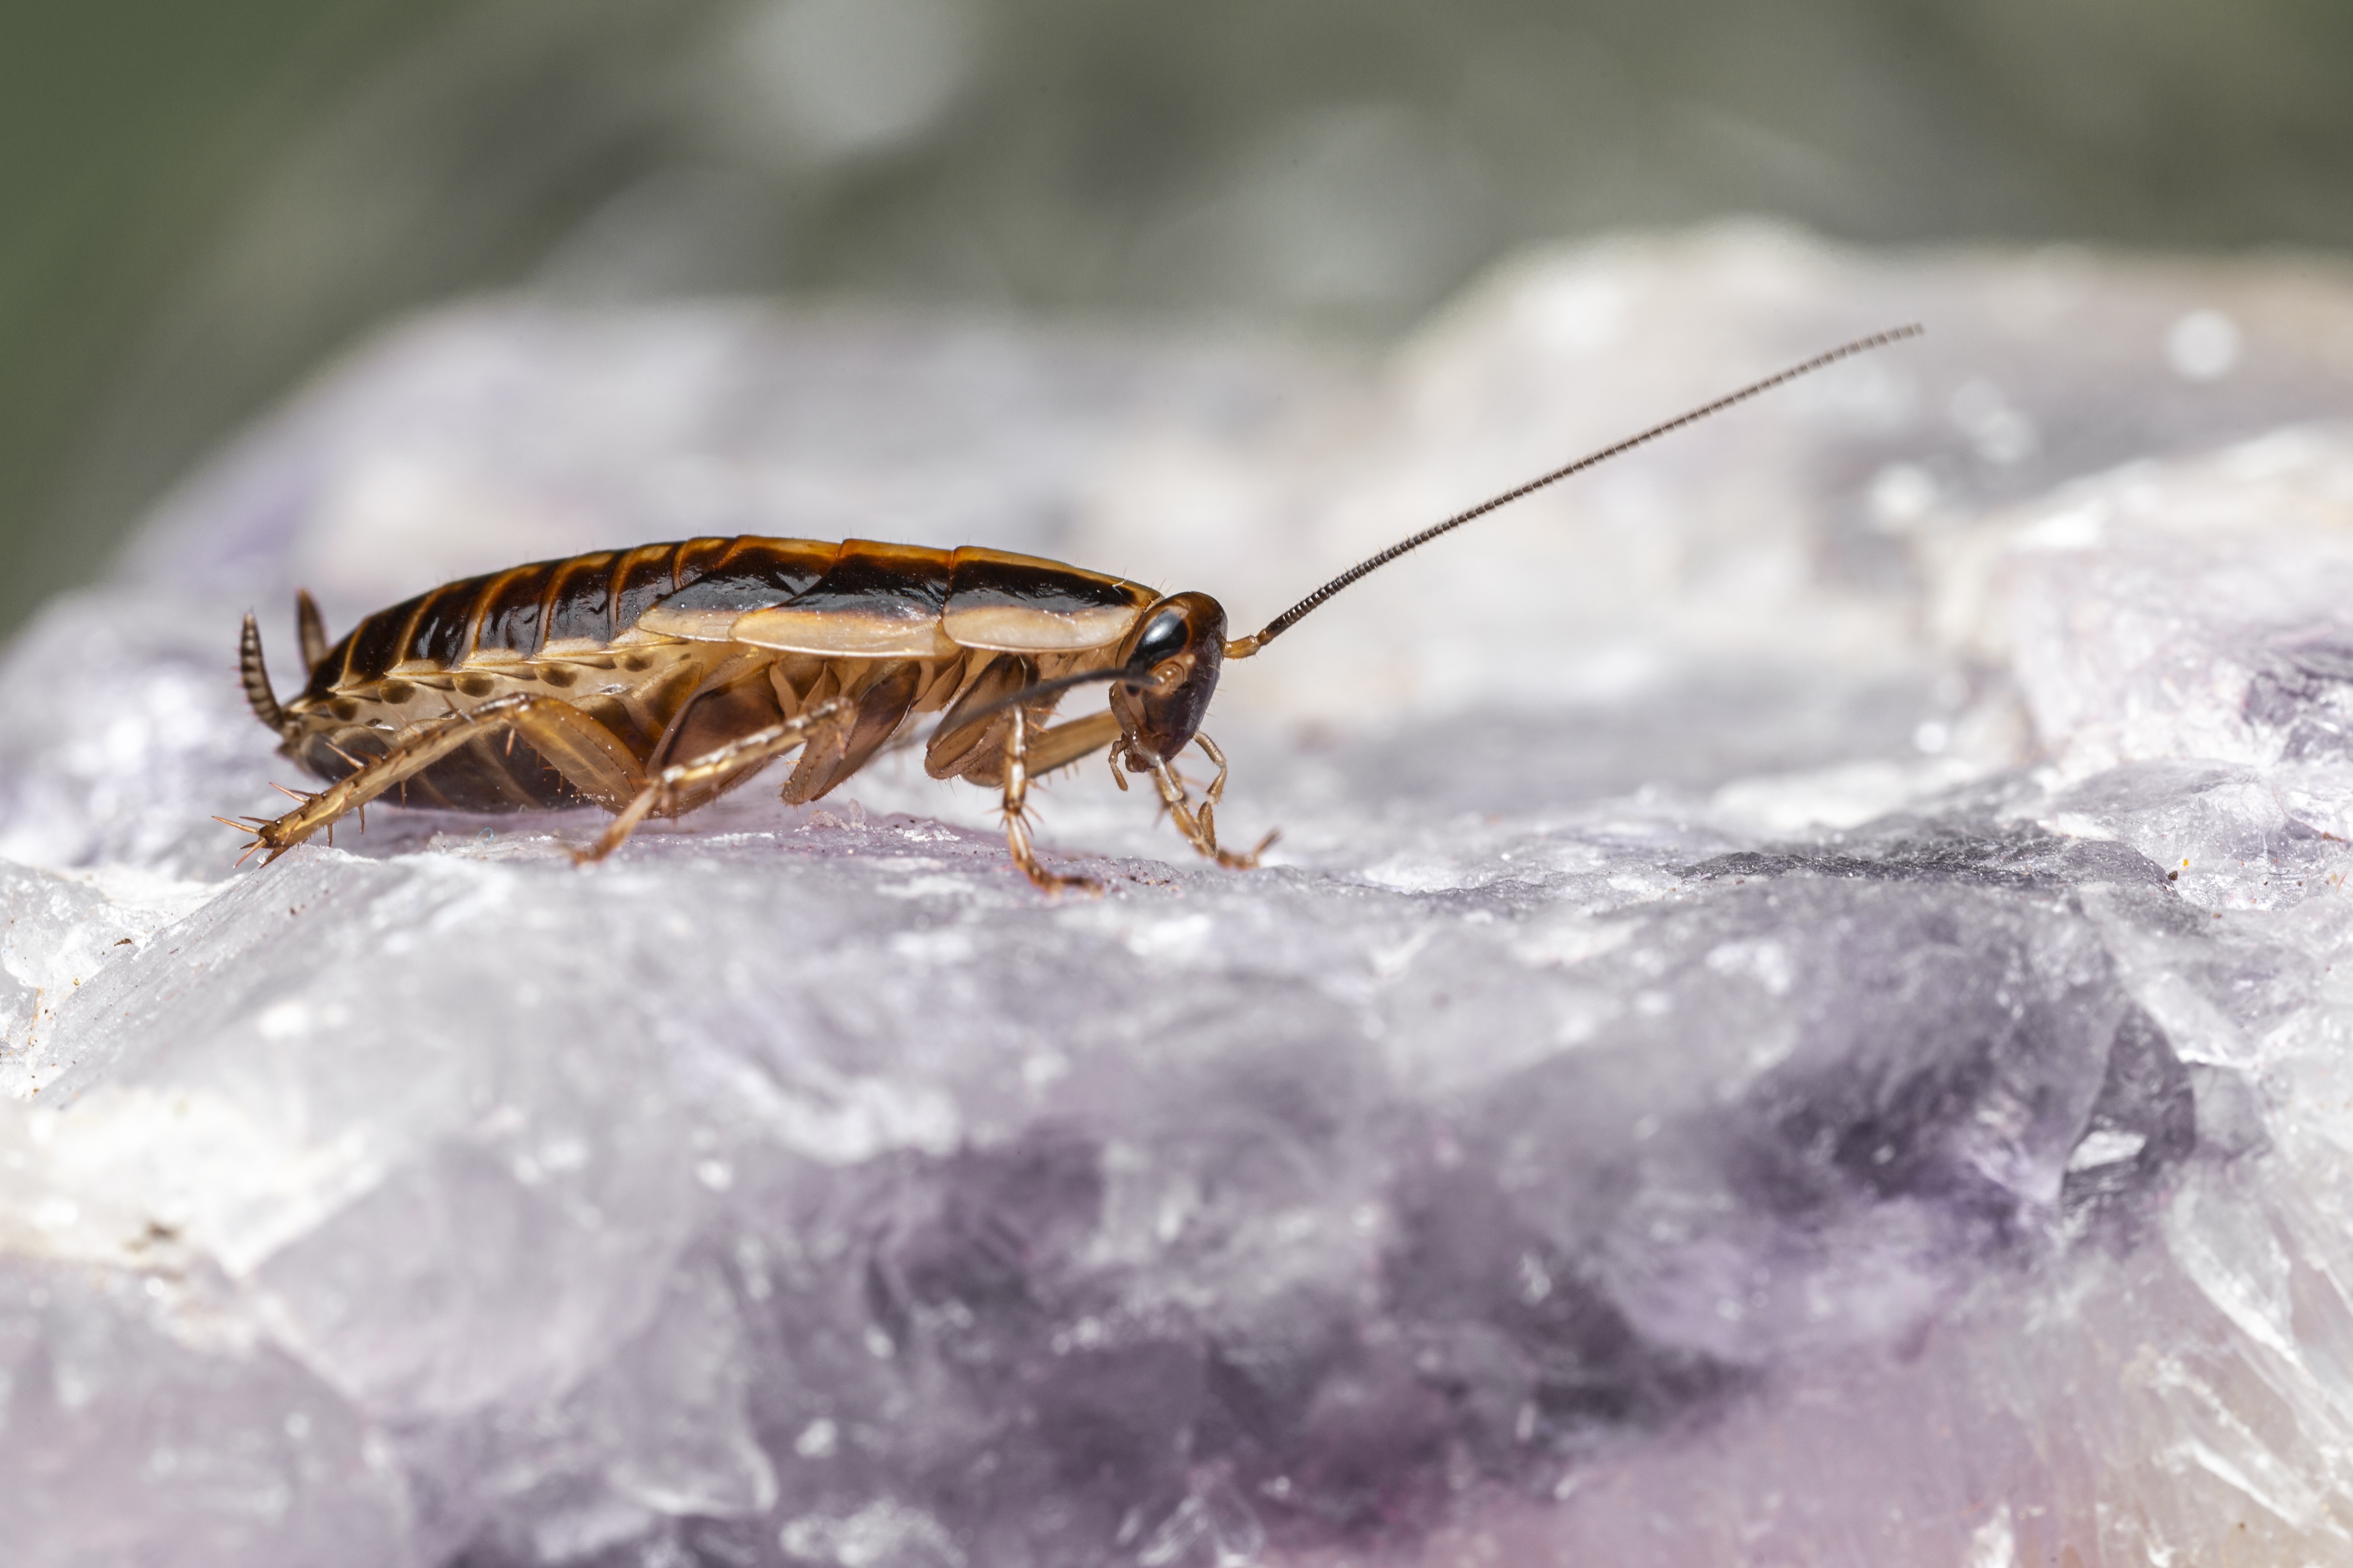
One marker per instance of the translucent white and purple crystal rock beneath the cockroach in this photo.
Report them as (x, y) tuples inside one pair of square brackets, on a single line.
[(1794, 1019)]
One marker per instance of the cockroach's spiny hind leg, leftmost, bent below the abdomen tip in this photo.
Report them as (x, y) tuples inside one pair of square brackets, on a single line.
[(589, 756)]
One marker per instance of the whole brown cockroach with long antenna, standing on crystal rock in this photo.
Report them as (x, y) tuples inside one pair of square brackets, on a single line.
[(655, 681)]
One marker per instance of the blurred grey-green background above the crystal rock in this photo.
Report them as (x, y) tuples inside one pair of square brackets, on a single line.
[(199, 203)]
